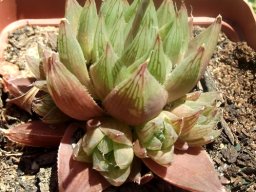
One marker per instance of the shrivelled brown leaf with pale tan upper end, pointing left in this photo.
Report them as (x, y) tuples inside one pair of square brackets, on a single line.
[(25, 101)]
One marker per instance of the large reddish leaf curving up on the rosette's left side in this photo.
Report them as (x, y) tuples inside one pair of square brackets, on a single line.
[(68, 93)]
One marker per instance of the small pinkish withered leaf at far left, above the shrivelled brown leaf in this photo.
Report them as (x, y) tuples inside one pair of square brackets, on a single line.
[(18, 86)]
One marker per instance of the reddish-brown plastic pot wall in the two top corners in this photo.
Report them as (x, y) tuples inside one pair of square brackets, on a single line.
[(239, 16)]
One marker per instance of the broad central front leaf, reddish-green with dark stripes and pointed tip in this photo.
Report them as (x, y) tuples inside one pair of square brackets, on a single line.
[(136, 100)]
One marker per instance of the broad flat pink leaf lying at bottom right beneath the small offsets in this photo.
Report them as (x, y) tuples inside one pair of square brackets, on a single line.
[(191, 170)]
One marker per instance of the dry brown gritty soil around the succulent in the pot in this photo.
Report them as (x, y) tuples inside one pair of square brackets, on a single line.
[(231, 71)]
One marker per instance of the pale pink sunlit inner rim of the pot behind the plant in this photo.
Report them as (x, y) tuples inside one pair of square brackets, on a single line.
[(201, 21)]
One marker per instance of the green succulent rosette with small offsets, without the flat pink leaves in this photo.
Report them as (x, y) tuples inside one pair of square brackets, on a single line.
[(128, 70)]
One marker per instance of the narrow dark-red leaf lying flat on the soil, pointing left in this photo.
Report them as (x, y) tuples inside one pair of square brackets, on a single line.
[(35, 134)]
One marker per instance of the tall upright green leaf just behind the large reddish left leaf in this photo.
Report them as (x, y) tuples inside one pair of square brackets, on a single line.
[(71, 54)]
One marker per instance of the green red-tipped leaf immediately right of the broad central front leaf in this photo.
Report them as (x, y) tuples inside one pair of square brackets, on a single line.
[(185, 76)]
